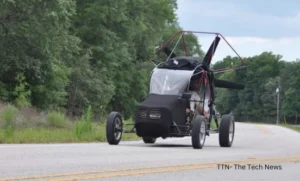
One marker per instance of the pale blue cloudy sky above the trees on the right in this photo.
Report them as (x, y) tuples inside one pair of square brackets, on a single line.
[(250, 26)]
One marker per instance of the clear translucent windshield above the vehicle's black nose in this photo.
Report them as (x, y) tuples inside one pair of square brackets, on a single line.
[(169, 82)]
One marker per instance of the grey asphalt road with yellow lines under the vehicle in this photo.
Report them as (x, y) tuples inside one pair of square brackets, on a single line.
[(259, 152)]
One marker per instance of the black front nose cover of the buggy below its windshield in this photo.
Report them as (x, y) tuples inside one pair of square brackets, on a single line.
[(156, 115)]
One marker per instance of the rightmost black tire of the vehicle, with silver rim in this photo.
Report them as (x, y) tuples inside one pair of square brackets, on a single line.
[(226, 131)]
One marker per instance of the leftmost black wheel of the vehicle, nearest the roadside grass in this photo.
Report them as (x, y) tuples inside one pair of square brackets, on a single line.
[(114, 128)]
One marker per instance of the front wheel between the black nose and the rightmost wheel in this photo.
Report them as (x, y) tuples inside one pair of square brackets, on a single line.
[(198, 122)]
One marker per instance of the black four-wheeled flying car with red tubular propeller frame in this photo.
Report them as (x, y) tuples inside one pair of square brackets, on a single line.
[(180, 101)]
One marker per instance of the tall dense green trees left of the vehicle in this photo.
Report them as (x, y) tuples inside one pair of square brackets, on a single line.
[(73, 53)]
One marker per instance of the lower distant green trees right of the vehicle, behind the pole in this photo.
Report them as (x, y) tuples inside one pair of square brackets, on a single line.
[(258, 101)]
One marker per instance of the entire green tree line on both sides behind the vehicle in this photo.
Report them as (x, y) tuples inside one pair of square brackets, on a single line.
[(71, 54)]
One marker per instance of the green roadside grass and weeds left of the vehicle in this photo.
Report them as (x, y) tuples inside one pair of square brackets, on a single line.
[(17, 126)]
